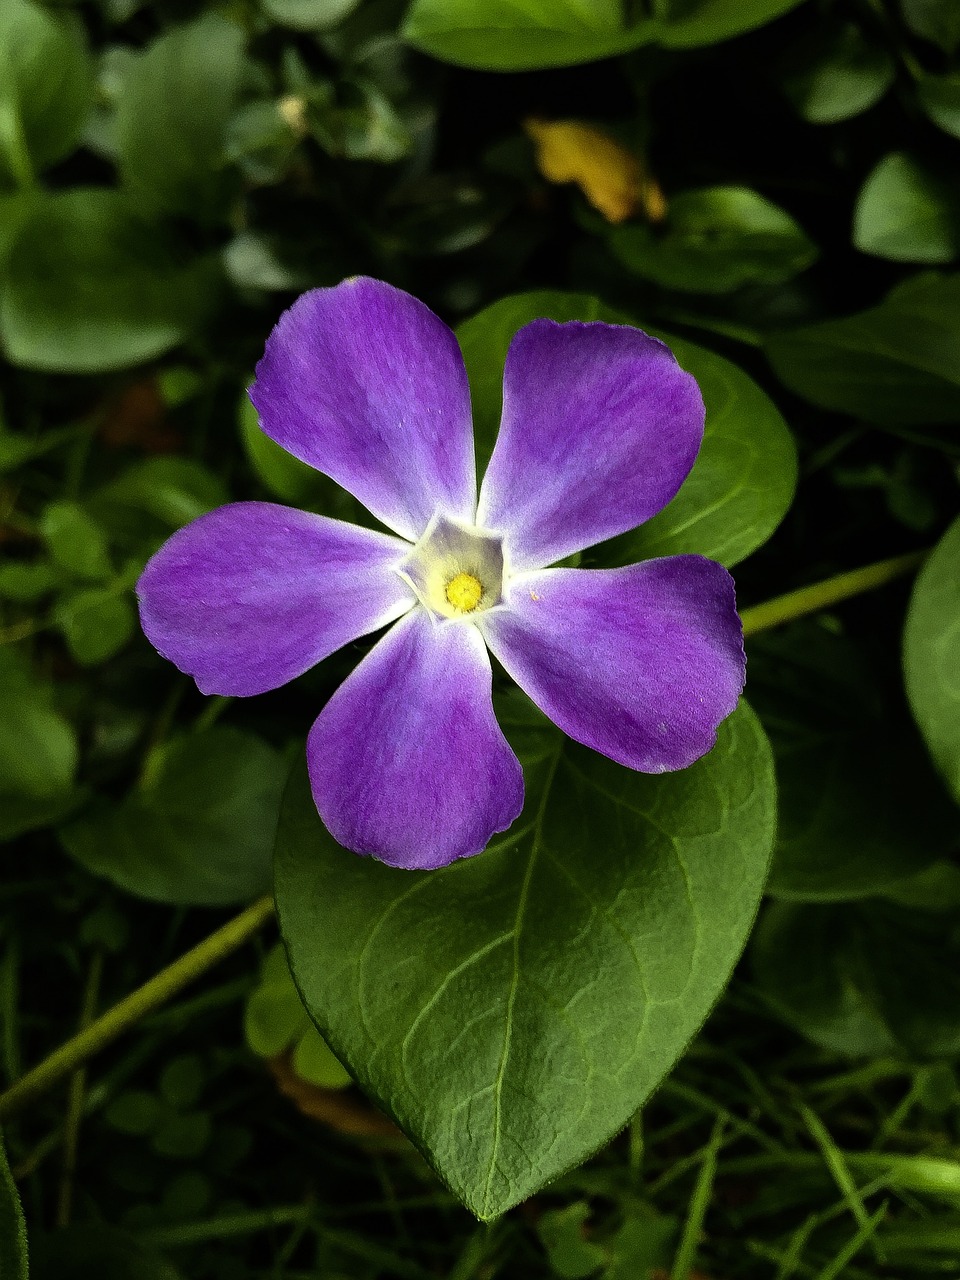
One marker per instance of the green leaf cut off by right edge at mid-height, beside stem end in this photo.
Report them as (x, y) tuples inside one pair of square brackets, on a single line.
[(932, 656)]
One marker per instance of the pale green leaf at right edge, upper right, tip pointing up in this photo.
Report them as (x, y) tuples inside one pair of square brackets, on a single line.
[(907, 213)]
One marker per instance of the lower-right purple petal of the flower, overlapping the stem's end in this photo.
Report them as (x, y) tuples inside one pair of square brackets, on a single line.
[(641, 664)]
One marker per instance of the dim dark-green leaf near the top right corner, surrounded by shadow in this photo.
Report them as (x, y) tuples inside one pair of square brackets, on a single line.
[(838, 75)]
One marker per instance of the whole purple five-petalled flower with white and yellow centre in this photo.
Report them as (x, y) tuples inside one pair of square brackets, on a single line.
[(601, 427)]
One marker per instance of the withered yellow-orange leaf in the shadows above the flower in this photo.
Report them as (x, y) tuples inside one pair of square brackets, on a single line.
[(612, 179)]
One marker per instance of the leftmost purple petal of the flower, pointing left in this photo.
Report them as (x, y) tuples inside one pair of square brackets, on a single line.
[(253, 595)]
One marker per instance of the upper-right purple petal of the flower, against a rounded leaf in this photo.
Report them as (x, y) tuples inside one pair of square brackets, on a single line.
[(601, 427)]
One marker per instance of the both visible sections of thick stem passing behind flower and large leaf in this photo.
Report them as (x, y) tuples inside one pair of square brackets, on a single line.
[(154, 994)]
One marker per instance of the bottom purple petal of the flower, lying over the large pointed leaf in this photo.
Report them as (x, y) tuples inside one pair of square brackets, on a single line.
[(408, 762)]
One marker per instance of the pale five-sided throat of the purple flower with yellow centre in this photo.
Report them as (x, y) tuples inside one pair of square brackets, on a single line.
[(458, 572)]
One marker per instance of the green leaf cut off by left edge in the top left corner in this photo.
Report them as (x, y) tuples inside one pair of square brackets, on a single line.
[(47, 88)]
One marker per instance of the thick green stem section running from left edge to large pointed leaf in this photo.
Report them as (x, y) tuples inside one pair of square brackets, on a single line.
[(66, 1060)]
